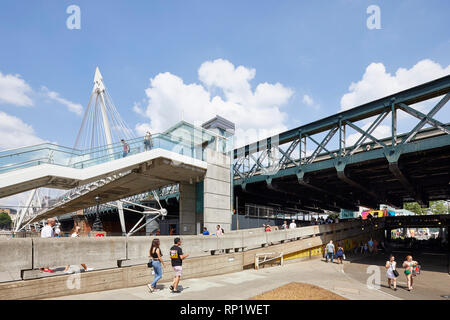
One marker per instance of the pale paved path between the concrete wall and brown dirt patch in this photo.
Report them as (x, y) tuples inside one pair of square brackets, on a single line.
[(249, 283)]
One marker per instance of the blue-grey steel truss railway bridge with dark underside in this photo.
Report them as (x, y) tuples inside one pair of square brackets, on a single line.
[(316, 166)]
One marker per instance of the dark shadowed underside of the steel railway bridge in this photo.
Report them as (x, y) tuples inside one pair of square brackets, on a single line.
[(420, 176)]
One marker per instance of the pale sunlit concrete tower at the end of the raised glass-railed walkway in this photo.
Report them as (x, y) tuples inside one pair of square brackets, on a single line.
[(217, 191)]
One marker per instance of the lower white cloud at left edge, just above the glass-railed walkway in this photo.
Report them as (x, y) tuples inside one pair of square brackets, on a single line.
[(15, 133)]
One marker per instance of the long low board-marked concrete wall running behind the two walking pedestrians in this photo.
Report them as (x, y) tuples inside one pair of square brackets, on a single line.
[(133, 254)]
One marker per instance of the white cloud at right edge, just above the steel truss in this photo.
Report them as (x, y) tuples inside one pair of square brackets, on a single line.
[(377, 83)]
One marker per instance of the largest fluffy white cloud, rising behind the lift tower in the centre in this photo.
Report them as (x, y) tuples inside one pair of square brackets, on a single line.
[(224, 90)]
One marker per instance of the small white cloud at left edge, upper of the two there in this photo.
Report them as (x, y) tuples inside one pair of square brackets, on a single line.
[(14, 90)]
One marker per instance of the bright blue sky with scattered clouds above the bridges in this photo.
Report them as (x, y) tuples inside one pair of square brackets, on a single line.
[(313, 48)]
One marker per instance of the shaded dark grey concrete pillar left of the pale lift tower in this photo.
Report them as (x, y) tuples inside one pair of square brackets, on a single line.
[(187, 209)]
